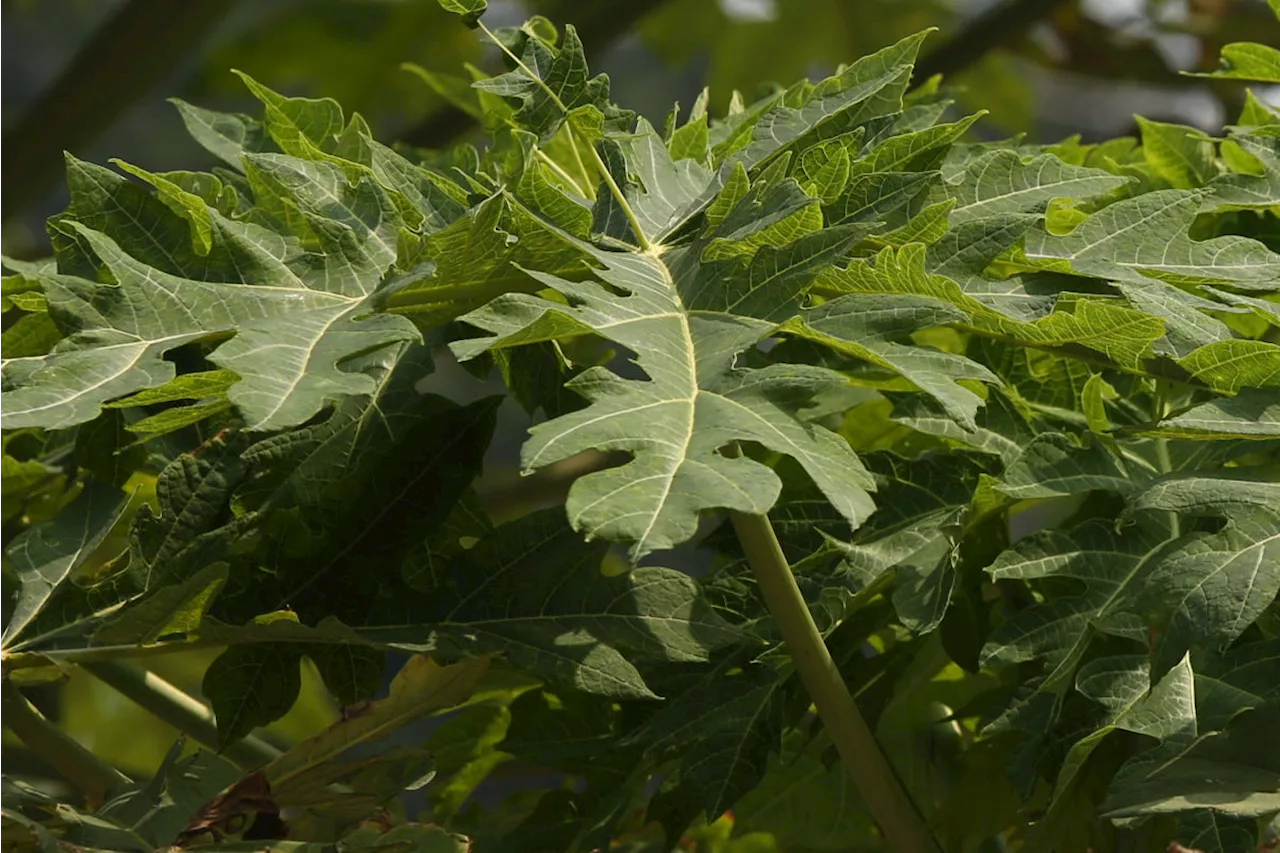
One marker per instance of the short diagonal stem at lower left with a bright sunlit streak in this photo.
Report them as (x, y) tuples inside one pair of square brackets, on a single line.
[(184, 713)]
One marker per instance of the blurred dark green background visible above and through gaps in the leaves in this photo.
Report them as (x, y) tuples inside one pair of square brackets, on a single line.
[(92, 77)]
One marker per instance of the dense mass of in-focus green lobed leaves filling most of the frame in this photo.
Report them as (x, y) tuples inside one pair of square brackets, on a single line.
[(1013, 412)]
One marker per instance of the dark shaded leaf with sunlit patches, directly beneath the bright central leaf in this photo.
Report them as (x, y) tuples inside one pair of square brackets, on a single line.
[(536, 592)]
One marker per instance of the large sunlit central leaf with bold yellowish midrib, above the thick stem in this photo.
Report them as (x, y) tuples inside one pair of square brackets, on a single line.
[(687, 325)]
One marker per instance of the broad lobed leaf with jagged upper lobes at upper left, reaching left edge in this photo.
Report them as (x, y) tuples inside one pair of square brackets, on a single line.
[(296, 280)]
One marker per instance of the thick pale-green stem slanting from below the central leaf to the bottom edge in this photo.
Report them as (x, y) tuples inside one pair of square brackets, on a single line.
[(886, 799)]
